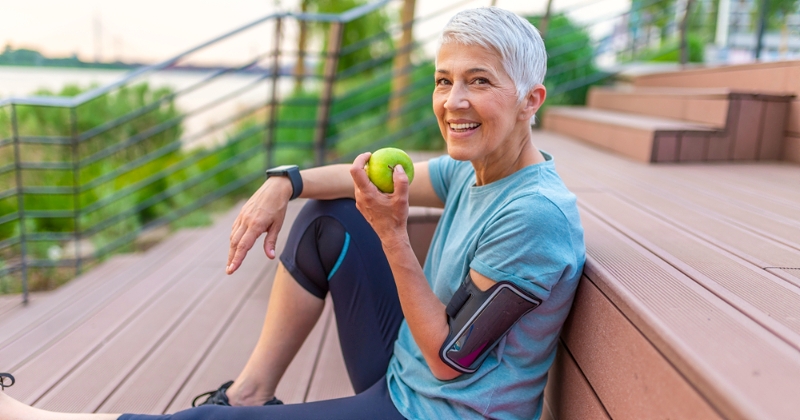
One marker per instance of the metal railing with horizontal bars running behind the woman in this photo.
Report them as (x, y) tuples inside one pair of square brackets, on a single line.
[(82, 177)]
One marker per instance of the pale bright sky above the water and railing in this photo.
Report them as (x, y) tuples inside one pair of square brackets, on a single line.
[(153, 30)]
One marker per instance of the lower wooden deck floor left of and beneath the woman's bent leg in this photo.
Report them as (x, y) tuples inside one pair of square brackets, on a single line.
[(146, 333)]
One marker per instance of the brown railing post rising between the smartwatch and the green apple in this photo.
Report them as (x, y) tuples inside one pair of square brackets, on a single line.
[(329, 77)]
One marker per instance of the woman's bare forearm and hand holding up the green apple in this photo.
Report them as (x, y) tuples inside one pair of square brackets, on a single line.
[(387, 214)]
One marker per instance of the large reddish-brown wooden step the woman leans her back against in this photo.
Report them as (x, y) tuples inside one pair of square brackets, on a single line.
[(685, 256)]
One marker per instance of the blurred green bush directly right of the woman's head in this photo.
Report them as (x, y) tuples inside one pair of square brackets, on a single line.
[(570, 62)]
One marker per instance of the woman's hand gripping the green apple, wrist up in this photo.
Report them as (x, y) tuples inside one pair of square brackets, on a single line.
[(386, 213)]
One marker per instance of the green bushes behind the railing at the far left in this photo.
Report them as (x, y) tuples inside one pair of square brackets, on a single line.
[(133, 171)]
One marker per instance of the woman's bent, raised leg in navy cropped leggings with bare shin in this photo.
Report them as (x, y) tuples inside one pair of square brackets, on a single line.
[(330, 248)]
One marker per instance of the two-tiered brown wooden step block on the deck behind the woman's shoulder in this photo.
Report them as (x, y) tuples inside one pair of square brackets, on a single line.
[(735, 124)]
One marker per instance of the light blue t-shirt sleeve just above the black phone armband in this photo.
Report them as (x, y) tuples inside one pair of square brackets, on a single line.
[(529, 244)]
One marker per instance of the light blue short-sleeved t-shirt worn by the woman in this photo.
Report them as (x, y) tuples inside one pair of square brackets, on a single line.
[(524, 229)]
